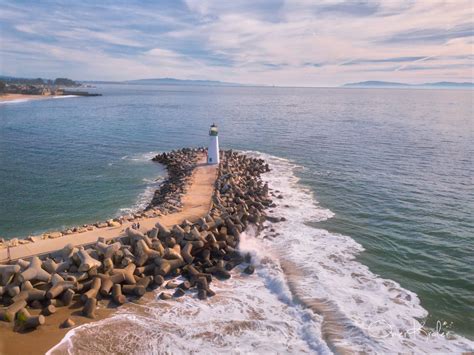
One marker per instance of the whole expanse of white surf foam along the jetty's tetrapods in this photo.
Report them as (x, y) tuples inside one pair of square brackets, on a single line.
[(308, 295)]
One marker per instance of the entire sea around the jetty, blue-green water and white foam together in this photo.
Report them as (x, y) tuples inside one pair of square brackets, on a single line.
[(379, 237)]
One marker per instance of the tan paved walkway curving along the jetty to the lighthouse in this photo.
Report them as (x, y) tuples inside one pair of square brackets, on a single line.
[(196, 204)]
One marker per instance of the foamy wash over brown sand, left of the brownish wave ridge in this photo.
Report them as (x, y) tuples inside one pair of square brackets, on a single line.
[(248, 315)]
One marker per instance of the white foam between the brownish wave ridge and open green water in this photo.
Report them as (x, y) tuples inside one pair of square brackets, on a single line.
[(323, 274)]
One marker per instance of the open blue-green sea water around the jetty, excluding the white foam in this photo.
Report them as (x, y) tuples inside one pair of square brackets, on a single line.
[(394, 166)]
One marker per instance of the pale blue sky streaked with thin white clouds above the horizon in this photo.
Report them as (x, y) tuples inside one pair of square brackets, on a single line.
[(285, 43)]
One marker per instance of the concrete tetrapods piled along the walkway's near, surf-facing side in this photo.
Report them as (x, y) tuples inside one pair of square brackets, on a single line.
[(127, 267)]
